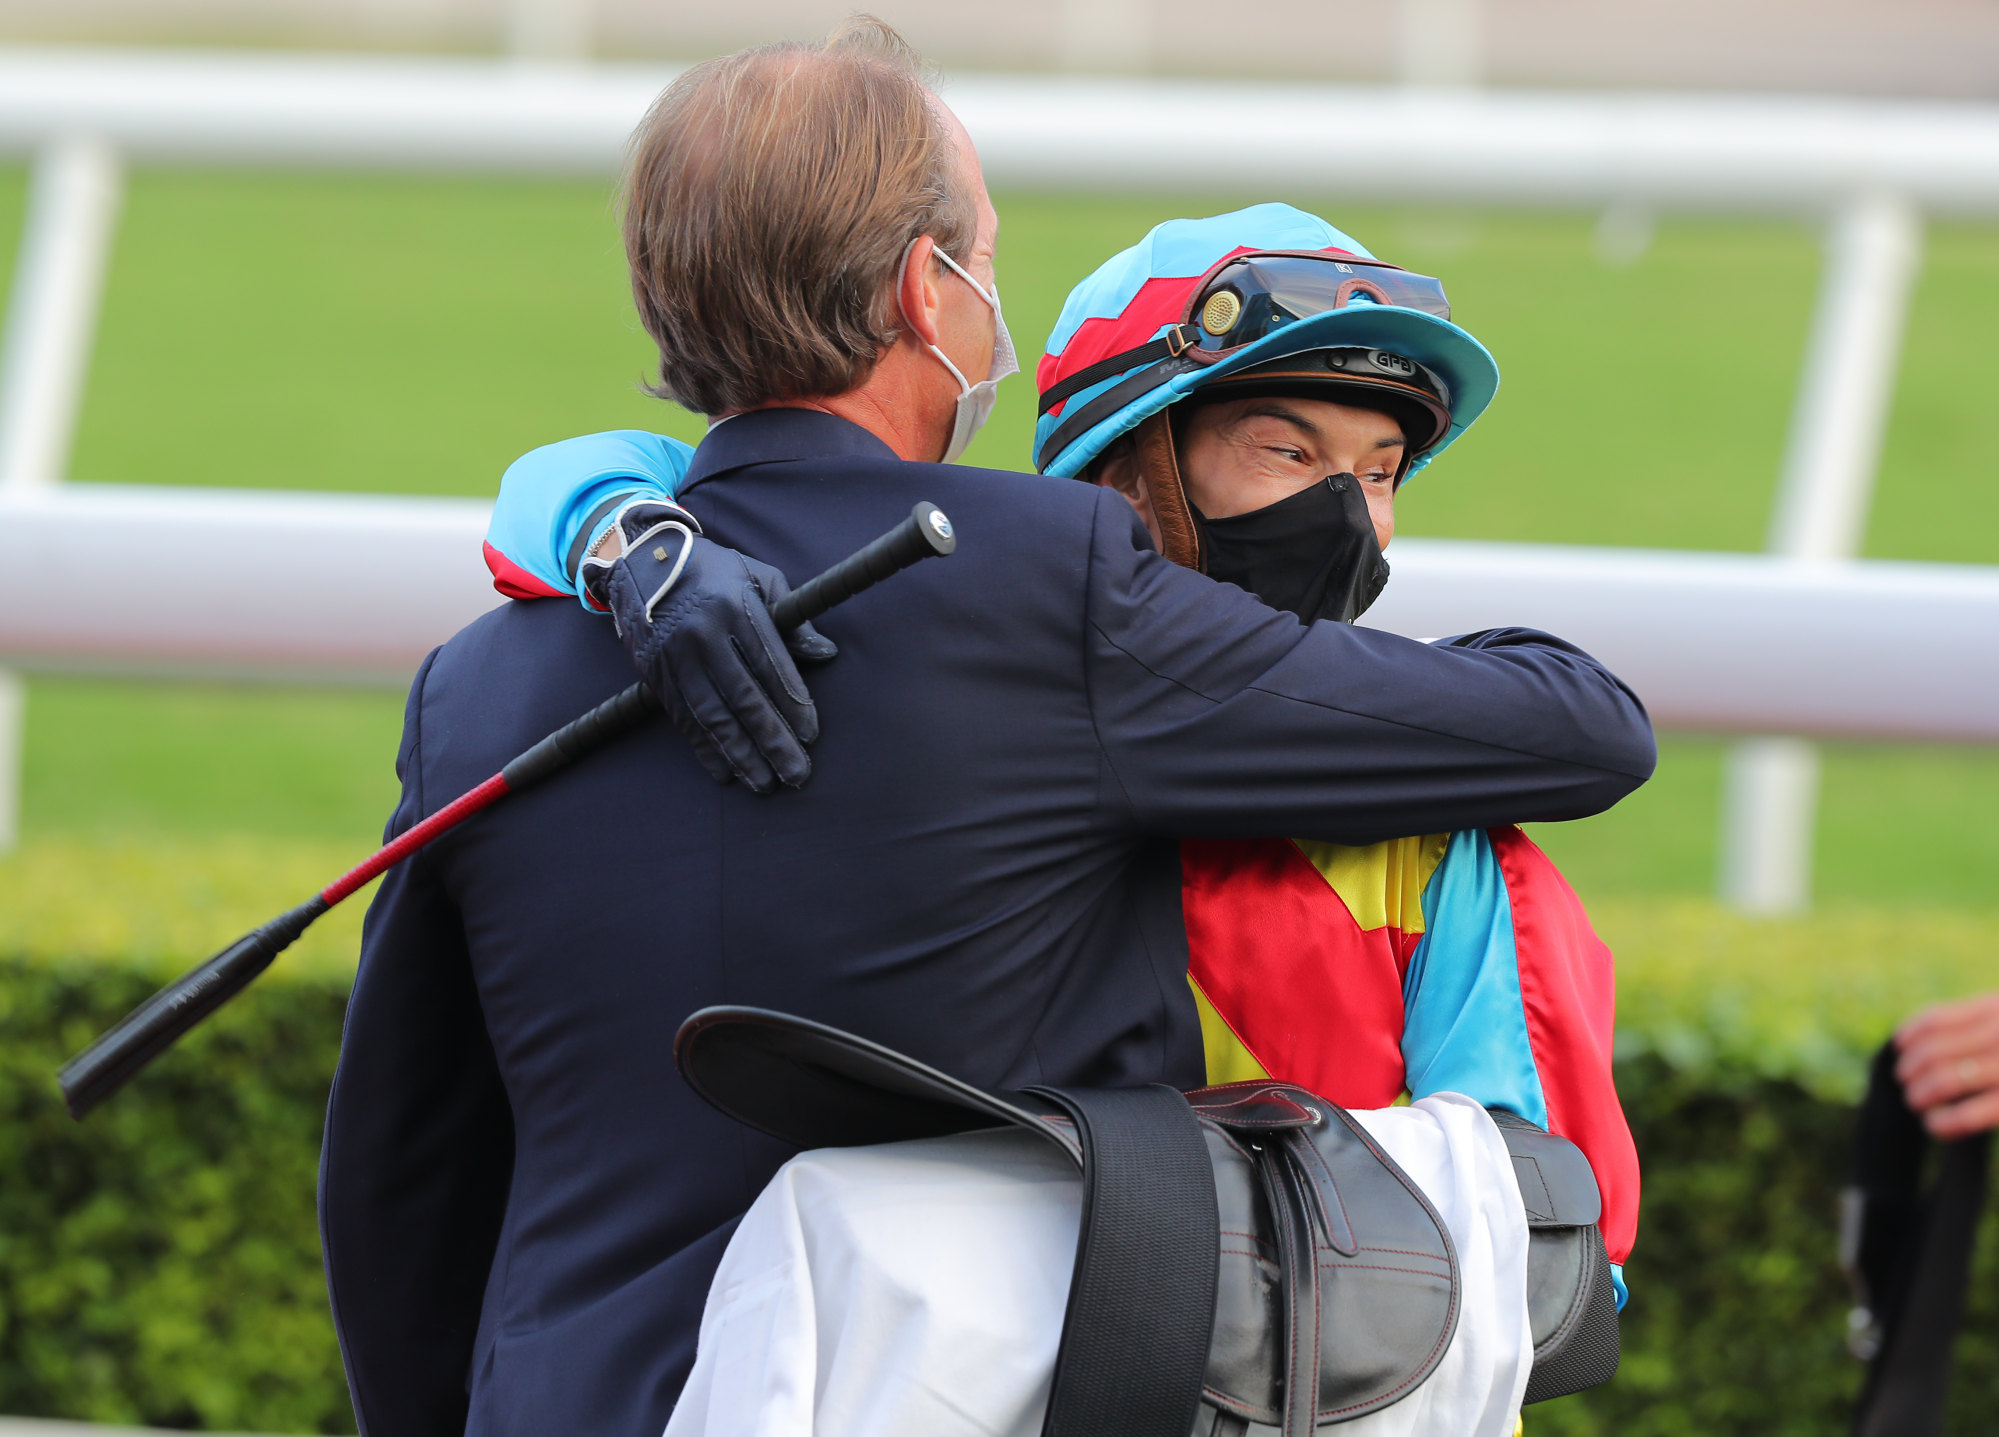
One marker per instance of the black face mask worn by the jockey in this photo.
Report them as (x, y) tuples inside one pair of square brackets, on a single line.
[(1312, 555)]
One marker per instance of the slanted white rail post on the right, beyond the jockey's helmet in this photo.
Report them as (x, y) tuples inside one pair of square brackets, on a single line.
[(1772, 786)]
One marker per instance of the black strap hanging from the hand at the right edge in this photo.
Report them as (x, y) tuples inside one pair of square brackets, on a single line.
[(1918, 1258)]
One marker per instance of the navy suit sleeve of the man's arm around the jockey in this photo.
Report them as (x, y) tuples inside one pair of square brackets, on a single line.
[(1346, 734)]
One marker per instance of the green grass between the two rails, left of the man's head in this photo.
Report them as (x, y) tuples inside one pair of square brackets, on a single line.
[(339, 333)]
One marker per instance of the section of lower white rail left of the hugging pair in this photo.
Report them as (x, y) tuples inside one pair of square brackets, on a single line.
[(317, 589)]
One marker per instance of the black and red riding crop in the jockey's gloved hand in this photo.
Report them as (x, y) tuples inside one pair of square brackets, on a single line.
[(157, 1024)]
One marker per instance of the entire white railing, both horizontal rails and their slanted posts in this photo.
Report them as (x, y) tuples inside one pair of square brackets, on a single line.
[(1868, 169)]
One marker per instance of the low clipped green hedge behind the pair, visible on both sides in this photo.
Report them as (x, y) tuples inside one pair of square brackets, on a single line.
[(161, 1266)]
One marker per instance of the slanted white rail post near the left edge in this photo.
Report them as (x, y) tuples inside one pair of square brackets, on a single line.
[(51, 321)]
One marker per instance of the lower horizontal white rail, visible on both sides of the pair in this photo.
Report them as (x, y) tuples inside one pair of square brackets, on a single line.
[(343, 589)]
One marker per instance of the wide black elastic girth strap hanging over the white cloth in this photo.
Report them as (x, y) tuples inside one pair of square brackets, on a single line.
[(1142, 1304)]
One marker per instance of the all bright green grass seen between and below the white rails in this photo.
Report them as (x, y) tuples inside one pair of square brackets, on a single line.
[(415, 335)]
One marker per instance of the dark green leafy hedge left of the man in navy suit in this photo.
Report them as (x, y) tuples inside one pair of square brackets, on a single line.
[(161, 1262)]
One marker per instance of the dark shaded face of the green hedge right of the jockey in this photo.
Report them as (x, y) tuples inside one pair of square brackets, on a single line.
[(1738, 1312)]
